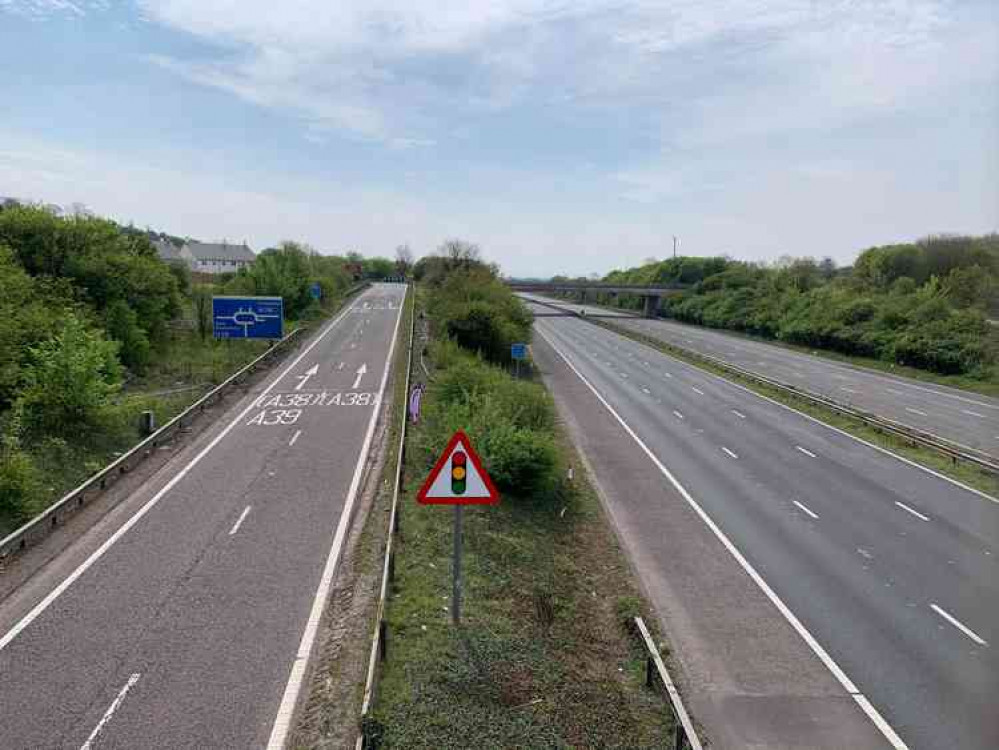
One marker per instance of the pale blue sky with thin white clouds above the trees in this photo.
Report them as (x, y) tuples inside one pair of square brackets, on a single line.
[(561, 136)]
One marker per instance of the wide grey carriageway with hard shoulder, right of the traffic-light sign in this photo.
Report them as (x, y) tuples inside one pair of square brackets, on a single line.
[(890, 571)]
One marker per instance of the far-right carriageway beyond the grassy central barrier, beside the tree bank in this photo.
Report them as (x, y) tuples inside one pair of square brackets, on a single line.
[(966, 418)]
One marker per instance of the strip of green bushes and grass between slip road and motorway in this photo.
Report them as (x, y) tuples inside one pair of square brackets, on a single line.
[(542, 658)]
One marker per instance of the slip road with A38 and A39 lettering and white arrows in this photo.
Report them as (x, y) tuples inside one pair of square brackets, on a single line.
[(182, 621)]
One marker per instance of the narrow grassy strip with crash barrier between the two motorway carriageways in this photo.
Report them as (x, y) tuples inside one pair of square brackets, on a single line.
[(968, 474)]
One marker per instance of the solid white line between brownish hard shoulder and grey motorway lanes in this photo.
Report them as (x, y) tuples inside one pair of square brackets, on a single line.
[(792, 619)]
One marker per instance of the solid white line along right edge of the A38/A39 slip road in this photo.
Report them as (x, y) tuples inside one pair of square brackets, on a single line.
[(286, 711)]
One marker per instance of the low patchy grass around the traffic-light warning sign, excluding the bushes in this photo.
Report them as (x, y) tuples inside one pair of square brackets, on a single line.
[(543, 658)]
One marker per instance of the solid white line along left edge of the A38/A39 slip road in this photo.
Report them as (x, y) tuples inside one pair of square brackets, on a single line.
[(96, 555)]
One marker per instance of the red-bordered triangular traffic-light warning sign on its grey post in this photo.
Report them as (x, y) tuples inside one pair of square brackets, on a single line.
[(458, 479)]
